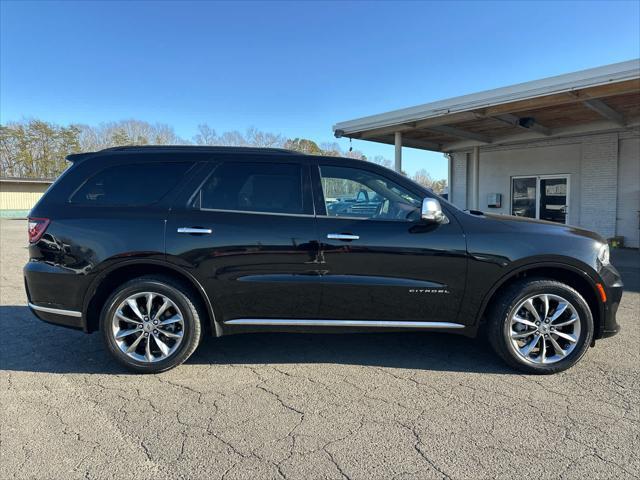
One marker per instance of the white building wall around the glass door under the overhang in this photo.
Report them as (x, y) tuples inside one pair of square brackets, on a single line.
[(603, 170)]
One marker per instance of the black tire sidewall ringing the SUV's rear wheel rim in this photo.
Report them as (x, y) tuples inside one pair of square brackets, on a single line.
[(191, 334)]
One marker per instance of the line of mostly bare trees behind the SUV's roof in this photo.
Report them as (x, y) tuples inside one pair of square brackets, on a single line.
[(37, 149)]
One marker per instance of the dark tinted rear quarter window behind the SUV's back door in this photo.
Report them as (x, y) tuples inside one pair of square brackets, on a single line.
[(130, 185)]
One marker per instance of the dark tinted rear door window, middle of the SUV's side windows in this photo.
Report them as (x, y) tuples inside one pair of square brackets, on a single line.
[(254, 187)]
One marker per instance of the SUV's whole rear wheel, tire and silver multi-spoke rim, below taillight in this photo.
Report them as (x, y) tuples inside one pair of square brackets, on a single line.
[(151, 324)]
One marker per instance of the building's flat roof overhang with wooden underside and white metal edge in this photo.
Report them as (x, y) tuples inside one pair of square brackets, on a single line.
[(598, 99)]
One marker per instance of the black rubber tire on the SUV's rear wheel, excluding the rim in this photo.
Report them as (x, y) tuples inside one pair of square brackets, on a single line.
[(180, 295)]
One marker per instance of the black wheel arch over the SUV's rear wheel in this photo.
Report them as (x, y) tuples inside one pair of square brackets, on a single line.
[(102, 286)]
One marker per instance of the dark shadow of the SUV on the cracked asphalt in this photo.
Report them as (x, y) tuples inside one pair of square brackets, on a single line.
[(35, 346)]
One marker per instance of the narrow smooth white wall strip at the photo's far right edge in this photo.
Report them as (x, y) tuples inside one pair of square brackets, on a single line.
[(629, 190)]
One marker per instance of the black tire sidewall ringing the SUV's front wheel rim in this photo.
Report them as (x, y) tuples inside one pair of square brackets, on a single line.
[(573, 297)]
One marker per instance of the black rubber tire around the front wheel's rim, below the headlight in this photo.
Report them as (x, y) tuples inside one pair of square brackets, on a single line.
[(499, 324)]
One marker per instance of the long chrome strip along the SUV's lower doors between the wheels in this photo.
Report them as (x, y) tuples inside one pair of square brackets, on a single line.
[(341, 323)]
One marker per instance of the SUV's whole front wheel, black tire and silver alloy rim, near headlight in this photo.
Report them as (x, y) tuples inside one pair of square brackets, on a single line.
[(540, 326)]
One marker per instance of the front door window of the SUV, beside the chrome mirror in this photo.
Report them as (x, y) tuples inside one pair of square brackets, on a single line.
[(351, 192)]
